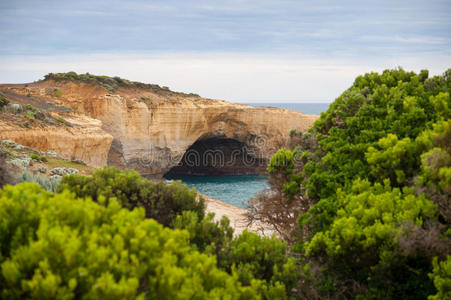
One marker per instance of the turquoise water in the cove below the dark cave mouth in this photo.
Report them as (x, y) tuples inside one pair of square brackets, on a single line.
[(236, 190)]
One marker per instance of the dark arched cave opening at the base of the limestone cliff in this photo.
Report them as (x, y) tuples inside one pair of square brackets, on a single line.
[(219, 156)]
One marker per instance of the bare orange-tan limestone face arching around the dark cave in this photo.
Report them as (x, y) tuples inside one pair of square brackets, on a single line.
[(152, 132)]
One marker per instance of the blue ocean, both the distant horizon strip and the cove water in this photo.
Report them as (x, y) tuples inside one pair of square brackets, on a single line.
[(238, 189)]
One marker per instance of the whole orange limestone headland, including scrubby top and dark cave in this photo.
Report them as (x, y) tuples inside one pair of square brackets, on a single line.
[(150, 128)]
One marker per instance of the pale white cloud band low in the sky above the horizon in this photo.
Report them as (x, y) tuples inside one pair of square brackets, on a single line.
[(247, 77)]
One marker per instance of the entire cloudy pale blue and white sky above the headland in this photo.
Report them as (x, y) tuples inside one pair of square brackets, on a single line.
[(236, 50)]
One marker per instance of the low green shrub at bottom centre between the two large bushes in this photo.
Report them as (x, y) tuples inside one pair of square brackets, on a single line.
[(256, 261)]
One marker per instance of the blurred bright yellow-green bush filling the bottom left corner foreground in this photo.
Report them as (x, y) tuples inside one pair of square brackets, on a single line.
[(54, 246)]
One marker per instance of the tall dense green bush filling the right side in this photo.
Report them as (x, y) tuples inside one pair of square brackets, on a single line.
[(372, 179)]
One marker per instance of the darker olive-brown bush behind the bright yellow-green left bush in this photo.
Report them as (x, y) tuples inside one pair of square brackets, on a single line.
[(161, 202)]
